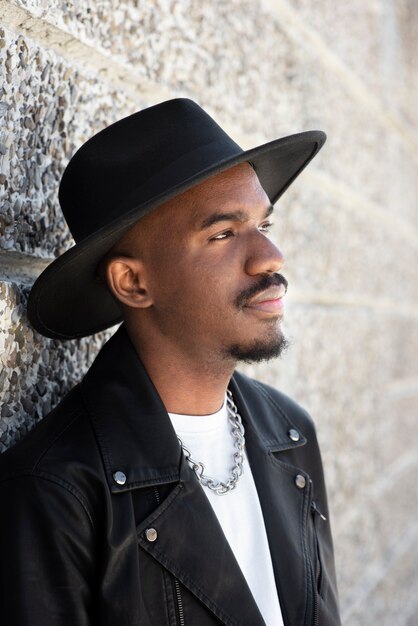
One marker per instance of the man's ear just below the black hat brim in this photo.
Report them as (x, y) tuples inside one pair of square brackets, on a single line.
[(126, 279)]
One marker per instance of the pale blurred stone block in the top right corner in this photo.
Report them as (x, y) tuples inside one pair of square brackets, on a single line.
[(375, 41)]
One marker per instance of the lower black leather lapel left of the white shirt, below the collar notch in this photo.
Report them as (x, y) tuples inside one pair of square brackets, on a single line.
[(192, 546)]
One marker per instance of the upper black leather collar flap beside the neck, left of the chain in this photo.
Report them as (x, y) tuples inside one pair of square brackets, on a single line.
[(132, 427)]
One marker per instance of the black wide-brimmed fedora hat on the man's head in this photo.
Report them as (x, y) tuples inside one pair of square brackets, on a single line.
[(123, 173)]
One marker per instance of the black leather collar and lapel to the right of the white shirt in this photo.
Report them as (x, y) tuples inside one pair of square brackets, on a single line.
[(284, 505)]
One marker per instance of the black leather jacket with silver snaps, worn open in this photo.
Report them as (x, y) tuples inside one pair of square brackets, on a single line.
[(72, 540)]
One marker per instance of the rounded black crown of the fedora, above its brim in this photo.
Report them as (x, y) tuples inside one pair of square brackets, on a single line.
[(129, 162)]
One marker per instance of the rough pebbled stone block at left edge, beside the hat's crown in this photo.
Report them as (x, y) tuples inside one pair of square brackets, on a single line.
[(48, 109)]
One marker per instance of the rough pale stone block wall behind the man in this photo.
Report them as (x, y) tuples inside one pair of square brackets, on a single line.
[(348, 227)]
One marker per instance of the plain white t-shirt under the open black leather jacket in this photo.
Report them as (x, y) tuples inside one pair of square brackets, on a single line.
[(209, 439)]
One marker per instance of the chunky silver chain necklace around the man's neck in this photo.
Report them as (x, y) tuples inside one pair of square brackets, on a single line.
[(217, 486)]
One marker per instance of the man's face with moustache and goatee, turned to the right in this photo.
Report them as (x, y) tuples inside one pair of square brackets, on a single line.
[(211, 270)]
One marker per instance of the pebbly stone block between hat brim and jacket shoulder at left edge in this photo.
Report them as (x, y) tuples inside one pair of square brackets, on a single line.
[(35, 372)]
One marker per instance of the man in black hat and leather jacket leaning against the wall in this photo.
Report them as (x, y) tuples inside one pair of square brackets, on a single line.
[(167, 488)]
